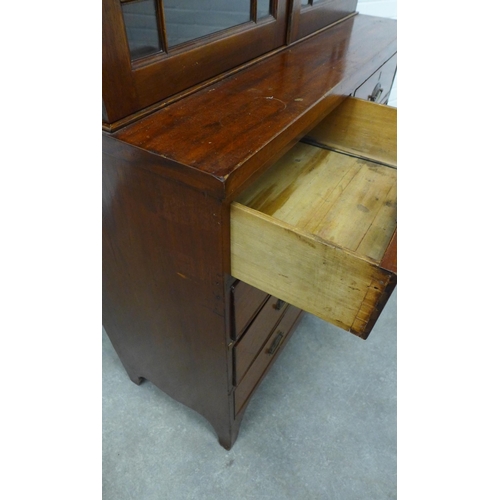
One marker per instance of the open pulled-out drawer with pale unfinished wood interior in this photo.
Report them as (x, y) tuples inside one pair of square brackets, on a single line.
[(318, 229)]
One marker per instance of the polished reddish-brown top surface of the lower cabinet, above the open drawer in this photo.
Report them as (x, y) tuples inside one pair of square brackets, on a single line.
[(243, 123)]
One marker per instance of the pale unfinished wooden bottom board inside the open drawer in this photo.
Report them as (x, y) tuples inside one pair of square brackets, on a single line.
[(346, 201)]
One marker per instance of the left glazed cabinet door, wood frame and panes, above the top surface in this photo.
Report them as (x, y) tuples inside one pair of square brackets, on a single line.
[(154, 49)]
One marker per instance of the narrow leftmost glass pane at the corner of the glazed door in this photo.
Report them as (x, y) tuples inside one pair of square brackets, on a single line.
[(142, 28)]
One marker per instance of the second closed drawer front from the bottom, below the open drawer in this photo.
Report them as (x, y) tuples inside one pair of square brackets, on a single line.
[(254, 338)]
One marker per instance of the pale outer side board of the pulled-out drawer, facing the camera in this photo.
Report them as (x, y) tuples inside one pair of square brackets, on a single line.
[(303, 269)]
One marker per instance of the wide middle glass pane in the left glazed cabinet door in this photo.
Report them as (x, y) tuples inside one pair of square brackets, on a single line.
[(190, 19)]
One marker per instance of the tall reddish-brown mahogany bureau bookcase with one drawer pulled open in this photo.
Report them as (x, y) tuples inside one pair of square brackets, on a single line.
[(247, 177)]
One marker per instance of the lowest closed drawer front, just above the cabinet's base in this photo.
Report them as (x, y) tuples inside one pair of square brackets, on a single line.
[(268, 352)]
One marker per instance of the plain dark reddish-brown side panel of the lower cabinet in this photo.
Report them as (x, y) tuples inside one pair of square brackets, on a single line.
[(163, 284)]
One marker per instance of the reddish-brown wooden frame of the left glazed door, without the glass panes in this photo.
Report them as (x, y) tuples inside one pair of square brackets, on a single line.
[(128, 87)]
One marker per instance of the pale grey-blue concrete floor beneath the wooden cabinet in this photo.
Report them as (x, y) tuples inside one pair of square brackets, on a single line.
[(321, 426)]
